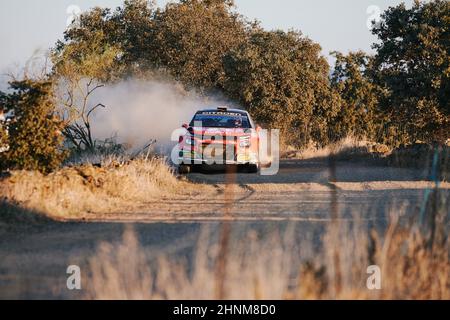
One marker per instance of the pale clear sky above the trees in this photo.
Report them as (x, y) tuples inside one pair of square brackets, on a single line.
[(29, 26)]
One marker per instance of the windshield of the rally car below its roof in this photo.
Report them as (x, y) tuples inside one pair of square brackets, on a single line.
[(220, 120)]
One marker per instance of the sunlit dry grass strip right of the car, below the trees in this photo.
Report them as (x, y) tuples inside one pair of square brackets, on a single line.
[(347, 148)]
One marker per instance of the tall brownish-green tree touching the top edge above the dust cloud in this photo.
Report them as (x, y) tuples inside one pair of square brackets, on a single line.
[(193, 36)]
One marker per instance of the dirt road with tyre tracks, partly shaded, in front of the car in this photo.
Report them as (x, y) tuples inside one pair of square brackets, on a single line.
[(34, 260)]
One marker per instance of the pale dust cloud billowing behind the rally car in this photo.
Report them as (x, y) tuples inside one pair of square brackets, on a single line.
[(138, 111)]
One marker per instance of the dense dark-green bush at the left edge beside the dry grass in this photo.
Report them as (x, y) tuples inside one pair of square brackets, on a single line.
[(34, 134)]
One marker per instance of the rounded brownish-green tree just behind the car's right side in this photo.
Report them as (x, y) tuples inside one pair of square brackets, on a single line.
[(283, 81)]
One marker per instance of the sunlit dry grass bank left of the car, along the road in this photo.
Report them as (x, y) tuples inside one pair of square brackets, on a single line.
[(72, 191)]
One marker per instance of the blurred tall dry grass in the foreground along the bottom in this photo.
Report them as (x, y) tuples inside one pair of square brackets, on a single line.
[(413, 257)]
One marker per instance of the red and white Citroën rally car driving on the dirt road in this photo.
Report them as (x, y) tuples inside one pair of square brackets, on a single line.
[(219, 136)]
